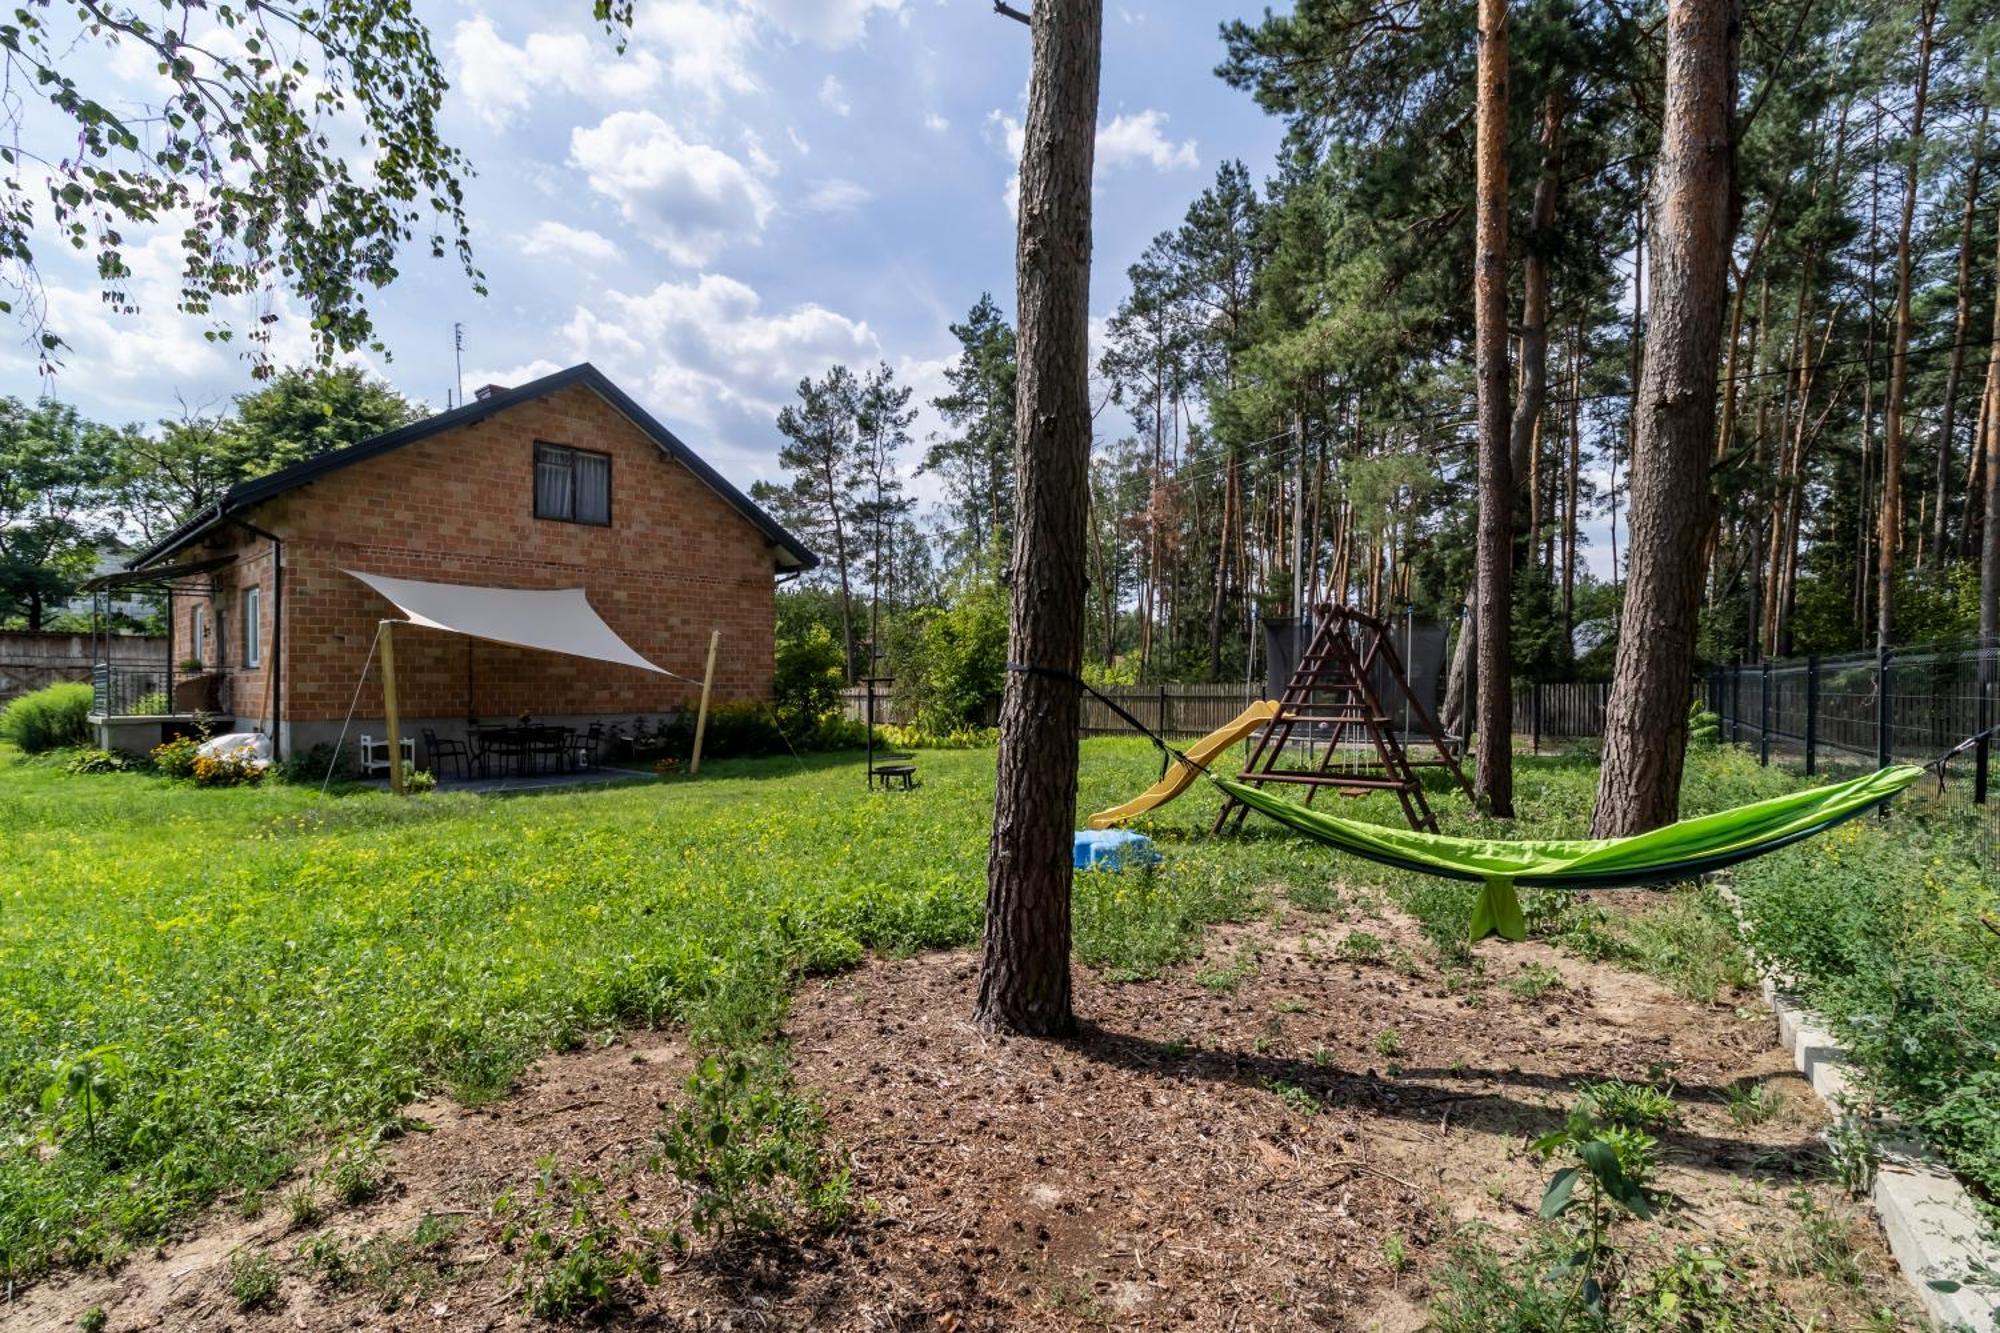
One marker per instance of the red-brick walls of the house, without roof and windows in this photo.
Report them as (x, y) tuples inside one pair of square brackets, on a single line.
[(459, 507)]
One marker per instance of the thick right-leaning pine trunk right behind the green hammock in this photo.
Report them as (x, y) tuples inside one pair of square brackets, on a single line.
[(1695, 223)]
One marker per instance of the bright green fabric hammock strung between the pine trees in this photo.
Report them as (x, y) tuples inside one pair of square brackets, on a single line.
[(1661, 858)]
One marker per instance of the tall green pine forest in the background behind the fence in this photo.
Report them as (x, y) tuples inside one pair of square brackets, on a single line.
[(1287, 401)]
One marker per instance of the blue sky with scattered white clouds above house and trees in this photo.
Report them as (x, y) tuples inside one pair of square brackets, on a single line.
[(751, 193)]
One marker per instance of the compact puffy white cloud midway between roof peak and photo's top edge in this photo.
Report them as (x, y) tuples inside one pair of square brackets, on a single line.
[(689, 199)]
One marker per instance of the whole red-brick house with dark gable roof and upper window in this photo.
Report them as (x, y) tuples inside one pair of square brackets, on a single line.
[(565, 483)]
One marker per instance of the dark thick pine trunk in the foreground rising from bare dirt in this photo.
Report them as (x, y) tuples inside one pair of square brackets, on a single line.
[(1025, 976)]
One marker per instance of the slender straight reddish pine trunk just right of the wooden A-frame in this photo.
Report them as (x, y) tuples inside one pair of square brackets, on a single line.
[(1495, 774)]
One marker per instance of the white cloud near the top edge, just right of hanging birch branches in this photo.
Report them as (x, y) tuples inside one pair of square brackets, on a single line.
[(501, 81)]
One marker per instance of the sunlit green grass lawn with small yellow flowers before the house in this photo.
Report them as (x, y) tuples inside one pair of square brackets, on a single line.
[(201, 988)]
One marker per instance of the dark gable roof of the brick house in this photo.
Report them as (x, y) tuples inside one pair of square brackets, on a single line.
[(245, 495)]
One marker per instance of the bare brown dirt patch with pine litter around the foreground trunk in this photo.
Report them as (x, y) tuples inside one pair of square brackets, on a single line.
[(1269, 1138)]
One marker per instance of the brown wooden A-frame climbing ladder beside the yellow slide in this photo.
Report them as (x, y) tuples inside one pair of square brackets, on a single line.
[(1333, 700)]
